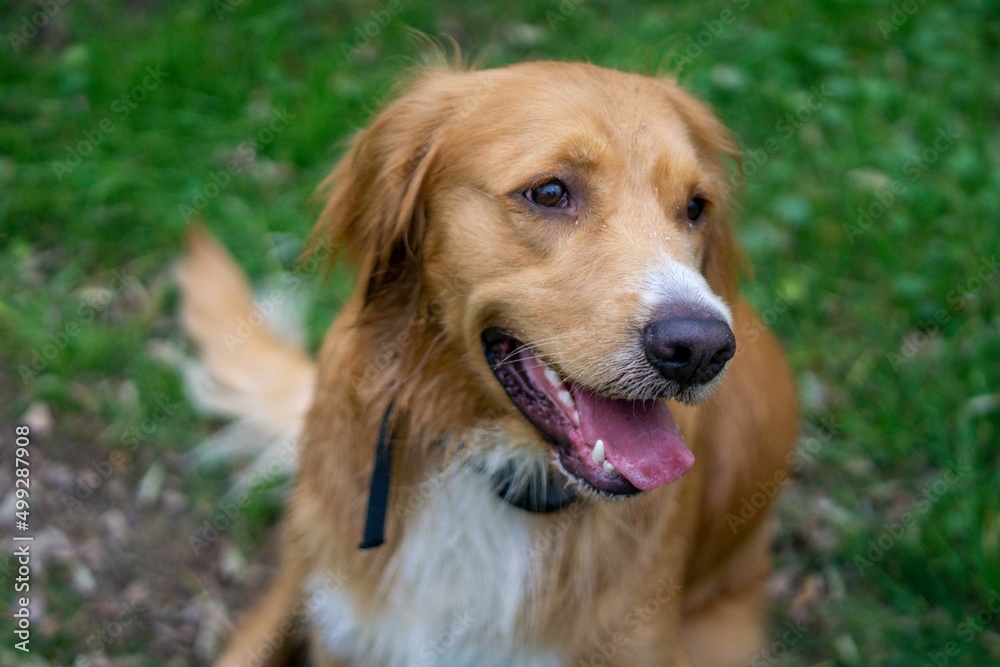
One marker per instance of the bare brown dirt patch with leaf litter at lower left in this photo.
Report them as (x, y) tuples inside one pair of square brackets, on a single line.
[(114, 577)]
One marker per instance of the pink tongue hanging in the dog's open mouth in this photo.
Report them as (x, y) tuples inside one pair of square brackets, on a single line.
[(641, 438)]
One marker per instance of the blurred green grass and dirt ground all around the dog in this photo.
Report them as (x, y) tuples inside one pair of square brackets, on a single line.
[(871, 210)]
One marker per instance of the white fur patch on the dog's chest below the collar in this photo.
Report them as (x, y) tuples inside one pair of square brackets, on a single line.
[(457, 586)]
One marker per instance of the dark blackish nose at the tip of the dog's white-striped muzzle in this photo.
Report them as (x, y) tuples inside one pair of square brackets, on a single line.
[(689, 350)]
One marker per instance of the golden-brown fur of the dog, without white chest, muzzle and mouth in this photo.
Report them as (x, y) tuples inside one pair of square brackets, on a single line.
[(425, 205)]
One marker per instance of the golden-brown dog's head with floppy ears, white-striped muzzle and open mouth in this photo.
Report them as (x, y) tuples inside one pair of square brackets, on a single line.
[(565, 228)]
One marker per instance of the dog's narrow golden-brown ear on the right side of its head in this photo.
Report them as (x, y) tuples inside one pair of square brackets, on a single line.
[(723, 259)]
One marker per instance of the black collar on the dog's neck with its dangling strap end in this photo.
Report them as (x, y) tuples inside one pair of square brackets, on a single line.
[(539, 493)]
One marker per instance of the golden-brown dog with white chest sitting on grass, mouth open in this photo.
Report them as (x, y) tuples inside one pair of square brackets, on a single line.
[(532, 433)]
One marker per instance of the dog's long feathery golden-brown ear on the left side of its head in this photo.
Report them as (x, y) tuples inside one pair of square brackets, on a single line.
[(374, 206)]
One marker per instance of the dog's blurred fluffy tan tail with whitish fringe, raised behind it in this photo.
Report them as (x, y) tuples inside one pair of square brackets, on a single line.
[(244, 370)]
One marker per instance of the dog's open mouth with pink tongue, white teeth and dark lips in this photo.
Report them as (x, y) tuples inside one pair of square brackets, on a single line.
[(615, 446)]
